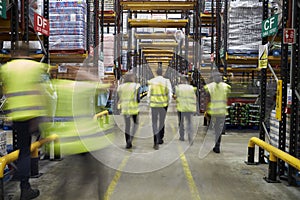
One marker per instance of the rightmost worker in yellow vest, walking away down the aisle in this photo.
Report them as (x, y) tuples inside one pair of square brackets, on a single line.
[(217, 106)]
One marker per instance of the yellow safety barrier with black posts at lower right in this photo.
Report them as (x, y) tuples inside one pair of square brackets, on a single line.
[(274, 154)]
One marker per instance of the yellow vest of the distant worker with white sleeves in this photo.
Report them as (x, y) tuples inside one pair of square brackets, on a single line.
[(159, 92)]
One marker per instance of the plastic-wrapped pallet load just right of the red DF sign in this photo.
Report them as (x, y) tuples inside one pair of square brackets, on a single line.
[(67, 25)]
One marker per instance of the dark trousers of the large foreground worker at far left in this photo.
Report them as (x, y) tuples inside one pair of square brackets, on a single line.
[(24, 130)]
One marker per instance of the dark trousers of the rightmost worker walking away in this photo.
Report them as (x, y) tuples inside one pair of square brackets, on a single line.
[(219, 127)]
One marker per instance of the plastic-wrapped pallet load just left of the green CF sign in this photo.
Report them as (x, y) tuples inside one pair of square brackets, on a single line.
[(244, 26)]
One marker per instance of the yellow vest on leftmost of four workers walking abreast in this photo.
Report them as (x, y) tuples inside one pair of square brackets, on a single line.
[(127, 93)]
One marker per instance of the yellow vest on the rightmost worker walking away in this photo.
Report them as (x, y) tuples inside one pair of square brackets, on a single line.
[(218, 98)]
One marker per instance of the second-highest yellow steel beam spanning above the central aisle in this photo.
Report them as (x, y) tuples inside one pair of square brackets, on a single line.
[(161, 23)]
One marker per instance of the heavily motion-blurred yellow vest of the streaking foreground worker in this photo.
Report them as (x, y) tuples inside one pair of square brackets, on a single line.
[(73, 120)]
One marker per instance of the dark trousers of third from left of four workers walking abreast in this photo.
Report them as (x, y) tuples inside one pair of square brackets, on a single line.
[(182, 116)]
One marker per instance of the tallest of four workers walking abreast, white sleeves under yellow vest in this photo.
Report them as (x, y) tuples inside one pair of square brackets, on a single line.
[(160, 94)]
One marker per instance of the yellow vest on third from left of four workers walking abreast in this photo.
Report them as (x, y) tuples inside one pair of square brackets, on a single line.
[(185, 98)]
